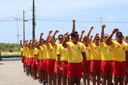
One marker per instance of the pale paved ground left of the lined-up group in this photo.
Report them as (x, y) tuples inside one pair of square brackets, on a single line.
[(11, 73)]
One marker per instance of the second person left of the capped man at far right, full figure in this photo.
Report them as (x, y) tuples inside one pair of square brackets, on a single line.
[(95, 60)]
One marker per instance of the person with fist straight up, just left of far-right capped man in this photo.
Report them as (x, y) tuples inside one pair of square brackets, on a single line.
[(106, 59)]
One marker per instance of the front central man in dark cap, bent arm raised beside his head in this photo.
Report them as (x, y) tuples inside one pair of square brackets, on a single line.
[(76, 55)]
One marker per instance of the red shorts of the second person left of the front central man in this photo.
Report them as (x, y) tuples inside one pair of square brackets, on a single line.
[(50, 64)]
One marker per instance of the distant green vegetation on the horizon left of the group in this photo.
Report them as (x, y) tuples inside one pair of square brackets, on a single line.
[(7, 47)]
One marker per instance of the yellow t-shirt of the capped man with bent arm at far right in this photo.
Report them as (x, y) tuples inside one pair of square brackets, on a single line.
[(118, 51)]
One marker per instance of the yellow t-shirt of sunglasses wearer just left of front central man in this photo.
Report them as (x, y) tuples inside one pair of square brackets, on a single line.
[(63, 52)]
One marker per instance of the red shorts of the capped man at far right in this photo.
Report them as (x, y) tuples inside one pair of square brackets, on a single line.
[(119, 68)]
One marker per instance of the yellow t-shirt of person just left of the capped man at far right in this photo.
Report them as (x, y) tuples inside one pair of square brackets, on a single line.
[(106, 53)]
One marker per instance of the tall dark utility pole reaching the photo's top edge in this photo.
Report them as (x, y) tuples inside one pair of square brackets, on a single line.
[(33, 21)]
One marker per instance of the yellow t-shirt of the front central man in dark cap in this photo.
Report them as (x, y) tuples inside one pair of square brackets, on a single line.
[(75, 52)]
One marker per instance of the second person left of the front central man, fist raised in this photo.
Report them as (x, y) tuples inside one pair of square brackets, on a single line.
[(51, 57)]
